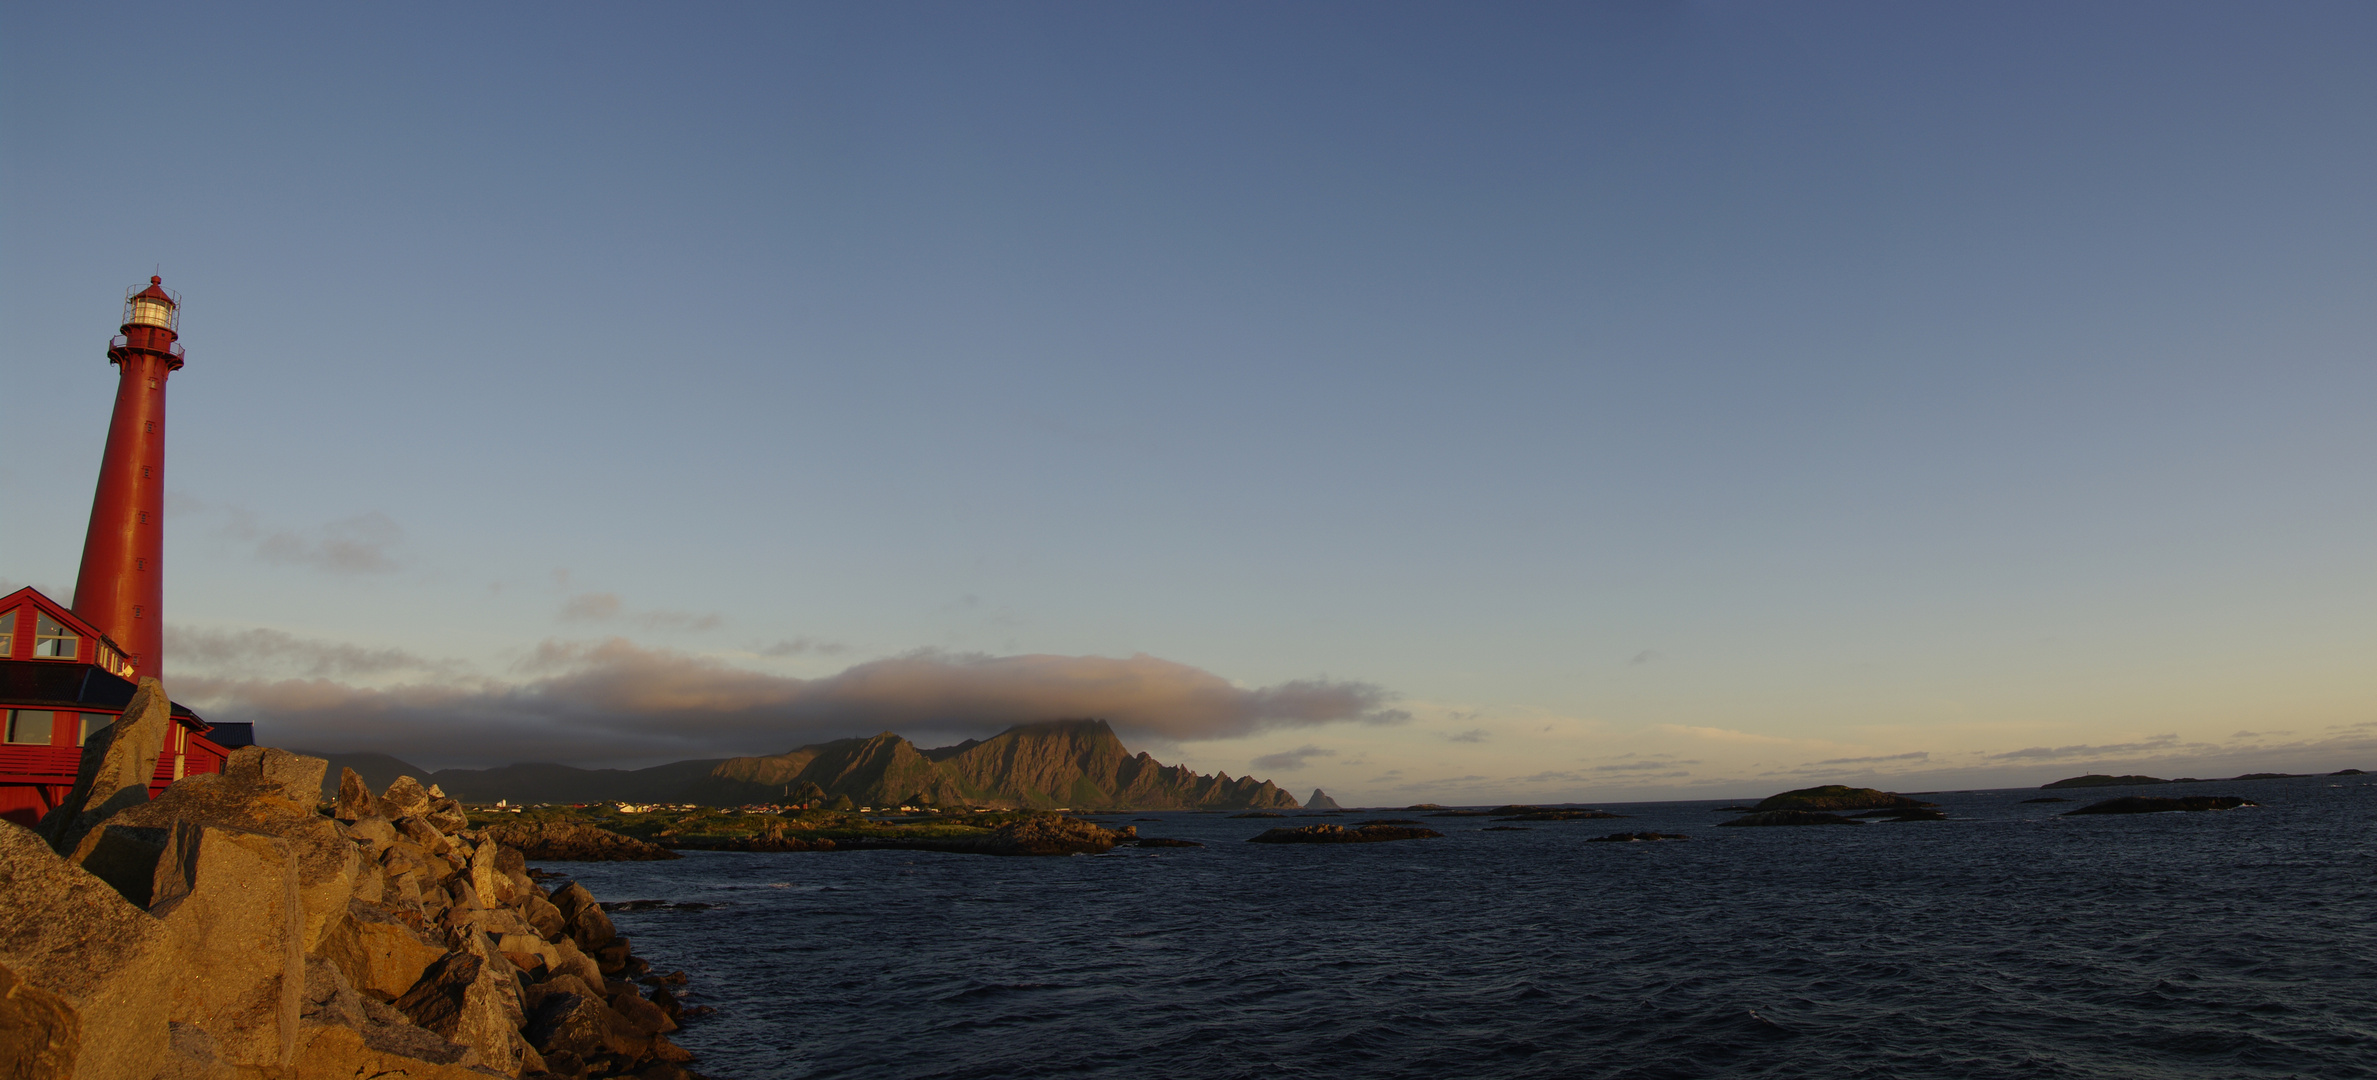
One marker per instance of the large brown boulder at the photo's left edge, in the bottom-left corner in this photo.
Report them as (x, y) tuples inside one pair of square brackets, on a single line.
[(84, 974)]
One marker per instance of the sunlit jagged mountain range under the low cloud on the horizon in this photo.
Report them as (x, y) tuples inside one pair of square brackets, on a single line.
[(1028, 767)]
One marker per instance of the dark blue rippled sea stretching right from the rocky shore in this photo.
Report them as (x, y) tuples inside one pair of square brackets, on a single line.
[(2005, 943)]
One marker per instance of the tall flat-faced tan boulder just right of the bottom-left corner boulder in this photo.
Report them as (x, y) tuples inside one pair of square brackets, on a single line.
[(229, 903)]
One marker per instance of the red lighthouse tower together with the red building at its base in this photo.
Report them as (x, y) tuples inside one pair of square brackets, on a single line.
[(70, 672)]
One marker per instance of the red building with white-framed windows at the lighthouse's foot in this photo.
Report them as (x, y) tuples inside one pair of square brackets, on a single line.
[(61, 682)]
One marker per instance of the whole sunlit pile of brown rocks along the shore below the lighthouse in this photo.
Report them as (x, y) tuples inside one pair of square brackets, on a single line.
[(229, 929)]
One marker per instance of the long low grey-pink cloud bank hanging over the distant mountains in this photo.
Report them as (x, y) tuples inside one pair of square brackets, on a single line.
[(605, 703)]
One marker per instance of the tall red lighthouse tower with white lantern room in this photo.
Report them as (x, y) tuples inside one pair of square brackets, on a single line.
[(120, 589)]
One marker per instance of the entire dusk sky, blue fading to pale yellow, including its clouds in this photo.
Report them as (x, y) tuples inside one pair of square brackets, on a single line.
[(1446, 403)]
